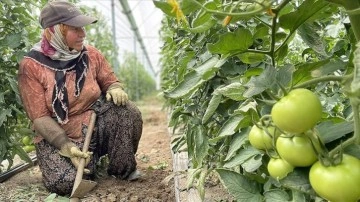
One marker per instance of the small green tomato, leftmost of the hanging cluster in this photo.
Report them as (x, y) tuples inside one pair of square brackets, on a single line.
[(260, 139)]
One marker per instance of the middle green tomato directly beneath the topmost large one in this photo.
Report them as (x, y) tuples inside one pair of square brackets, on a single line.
[(297, 150)]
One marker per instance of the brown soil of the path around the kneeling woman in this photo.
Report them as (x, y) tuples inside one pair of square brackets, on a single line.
[(154, 162)]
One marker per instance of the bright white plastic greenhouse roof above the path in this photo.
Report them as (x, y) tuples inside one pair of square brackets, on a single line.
[(148, 21)]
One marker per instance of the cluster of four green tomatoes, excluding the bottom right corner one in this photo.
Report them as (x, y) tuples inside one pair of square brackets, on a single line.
[(295, 115)]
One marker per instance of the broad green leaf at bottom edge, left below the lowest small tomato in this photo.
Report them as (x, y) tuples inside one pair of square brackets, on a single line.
[(240, 187)]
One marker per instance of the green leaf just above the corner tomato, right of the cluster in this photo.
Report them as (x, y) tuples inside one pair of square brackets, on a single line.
[(330, 131)]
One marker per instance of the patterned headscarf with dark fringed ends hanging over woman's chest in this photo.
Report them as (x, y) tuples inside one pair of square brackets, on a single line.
[(54, 54)]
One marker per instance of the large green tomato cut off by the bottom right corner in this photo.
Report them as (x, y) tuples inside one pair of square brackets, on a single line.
[(339, 183)]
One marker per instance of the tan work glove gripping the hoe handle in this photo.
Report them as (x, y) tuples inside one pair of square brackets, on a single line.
[(71, 151)]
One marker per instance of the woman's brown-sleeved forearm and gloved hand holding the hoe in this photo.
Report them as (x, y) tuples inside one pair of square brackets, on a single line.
[(51, 131)]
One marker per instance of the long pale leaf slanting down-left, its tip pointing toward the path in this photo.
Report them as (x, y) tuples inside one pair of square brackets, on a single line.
[(194, 79)]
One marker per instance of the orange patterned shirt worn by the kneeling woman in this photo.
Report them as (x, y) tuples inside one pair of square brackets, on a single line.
[(36, 85)]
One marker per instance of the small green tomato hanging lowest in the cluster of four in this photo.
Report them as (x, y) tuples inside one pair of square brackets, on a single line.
[(279, 168)]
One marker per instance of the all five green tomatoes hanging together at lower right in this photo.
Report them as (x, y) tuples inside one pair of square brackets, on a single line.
[(296, 115)]
